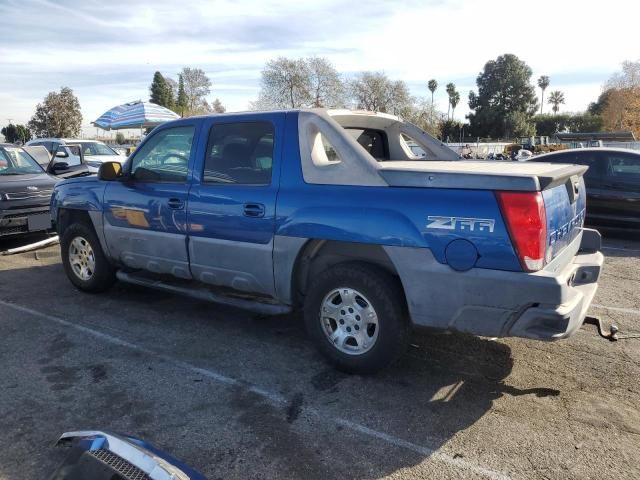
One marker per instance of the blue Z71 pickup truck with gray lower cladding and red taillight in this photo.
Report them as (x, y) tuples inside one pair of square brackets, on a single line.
[(330, 211)]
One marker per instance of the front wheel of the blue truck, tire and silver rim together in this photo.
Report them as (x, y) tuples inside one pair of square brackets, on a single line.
[(84, 261)]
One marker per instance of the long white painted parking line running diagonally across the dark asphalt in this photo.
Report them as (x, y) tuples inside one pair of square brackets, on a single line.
[(272, 397)]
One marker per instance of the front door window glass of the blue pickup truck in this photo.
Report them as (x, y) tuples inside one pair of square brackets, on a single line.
[(165, 156)]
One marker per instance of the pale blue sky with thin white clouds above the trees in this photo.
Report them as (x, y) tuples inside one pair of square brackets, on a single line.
[(107, 51)]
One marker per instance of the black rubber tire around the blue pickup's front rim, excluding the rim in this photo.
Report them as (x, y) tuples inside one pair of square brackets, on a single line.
[(104, 274)]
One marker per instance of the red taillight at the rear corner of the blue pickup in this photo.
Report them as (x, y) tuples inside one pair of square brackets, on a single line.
[(526, 221)]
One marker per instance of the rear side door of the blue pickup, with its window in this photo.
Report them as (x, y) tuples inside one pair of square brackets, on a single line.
[(232, 203)]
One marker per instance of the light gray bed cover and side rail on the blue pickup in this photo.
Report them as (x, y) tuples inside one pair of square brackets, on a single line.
[(477, 175)]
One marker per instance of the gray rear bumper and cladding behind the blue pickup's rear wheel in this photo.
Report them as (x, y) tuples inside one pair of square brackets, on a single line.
[(546, 305)]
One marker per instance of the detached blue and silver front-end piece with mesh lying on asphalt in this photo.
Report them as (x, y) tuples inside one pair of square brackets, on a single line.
[(99, 455)]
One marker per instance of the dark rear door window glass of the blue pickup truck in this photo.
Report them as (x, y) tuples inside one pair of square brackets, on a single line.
[(240, 153)]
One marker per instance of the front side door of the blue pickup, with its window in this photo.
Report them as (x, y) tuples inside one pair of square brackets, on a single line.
[(145, 212)]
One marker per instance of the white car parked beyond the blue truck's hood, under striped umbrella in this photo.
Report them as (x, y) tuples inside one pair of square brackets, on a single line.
[(94, 152)]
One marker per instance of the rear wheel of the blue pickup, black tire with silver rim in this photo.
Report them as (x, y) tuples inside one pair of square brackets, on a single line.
[(355, 314)]
